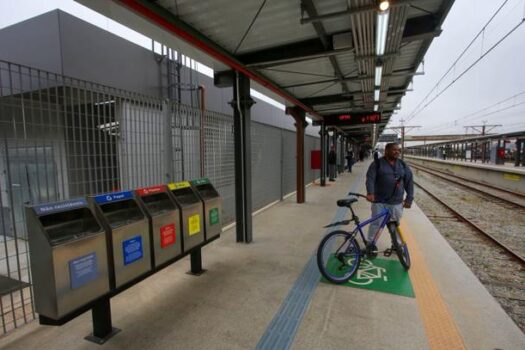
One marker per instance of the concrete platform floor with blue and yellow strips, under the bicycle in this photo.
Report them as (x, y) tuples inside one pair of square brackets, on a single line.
[(269, 294)]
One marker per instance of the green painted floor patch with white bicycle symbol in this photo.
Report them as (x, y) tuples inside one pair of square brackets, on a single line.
[(382, 275)]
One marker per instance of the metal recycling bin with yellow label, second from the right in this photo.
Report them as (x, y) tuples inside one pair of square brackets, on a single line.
[(191, 213)]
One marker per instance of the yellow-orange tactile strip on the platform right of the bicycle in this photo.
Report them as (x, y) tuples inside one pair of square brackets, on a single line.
[(440, 328)]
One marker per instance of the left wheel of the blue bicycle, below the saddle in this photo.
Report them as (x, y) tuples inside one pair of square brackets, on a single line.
[(338, 256)]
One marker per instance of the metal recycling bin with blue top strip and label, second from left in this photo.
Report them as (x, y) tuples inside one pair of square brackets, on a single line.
[(127, 230)]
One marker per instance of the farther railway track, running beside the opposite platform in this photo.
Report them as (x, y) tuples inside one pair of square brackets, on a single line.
[(509, 197)]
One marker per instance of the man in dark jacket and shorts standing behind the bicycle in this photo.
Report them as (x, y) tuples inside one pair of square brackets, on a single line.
[(387, 180)]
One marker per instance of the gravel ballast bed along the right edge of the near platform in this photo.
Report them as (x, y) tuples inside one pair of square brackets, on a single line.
[(503, 276)]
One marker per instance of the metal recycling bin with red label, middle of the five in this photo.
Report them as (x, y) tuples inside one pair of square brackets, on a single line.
[(164, 222)]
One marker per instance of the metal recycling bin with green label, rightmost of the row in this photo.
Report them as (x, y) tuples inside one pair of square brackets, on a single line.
[(212, 207)]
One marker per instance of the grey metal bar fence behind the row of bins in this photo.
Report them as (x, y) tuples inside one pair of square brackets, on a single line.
[(62, 138)]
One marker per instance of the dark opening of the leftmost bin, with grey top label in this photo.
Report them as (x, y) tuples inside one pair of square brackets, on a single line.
[(69, 225)]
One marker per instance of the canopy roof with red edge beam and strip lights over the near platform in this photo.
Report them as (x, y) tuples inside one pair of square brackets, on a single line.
[(320, 55)]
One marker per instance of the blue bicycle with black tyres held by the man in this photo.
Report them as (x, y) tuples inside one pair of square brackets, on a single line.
[(339, 254)]
